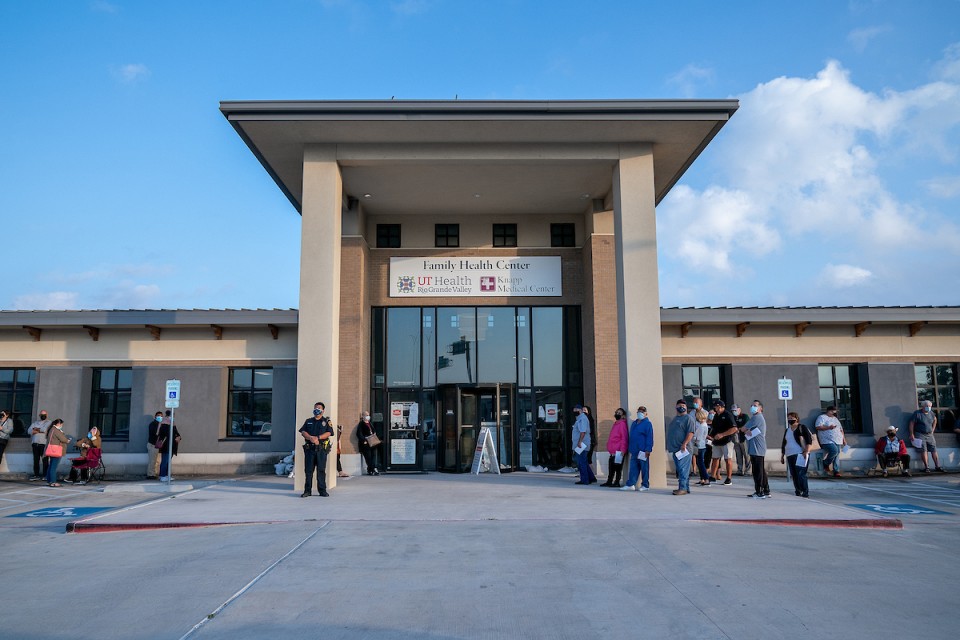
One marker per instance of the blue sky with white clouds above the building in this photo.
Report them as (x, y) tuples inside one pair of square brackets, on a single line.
[(836, 183)]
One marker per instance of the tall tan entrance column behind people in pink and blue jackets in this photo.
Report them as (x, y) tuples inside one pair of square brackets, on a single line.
[(638, 294)]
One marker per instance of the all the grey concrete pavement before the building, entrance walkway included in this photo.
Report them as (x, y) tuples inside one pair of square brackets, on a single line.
[(441, 556)]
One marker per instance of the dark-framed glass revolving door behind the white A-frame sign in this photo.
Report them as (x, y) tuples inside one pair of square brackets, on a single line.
[(464, 412)]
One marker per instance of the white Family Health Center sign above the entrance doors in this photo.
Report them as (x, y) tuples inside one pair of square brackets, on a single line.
[(475, 277)]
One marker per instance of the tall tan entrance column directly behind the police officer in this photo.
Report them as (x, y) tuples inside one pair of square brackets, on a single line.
[(318, 343)]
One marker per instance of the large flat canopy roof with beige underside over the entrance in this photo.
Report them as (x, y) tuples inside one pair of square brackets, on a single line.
[(476, 156)]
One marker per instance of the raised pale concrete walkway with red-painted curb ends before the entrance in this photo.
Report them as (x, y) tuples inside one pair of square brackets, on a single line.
[(441, 497)]
